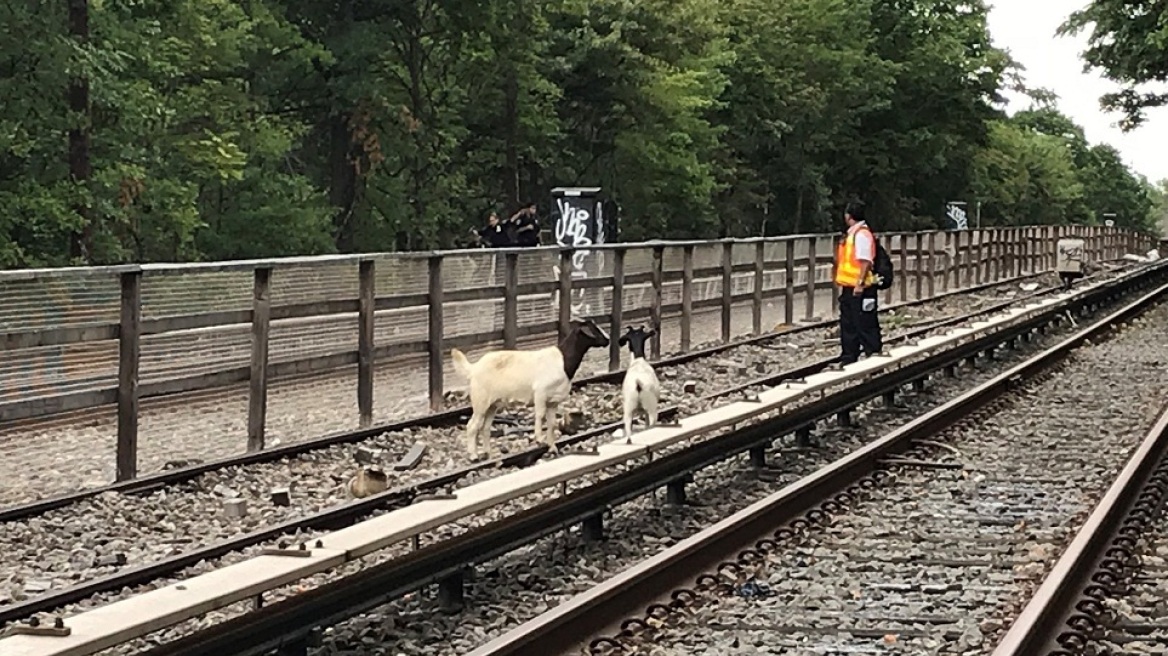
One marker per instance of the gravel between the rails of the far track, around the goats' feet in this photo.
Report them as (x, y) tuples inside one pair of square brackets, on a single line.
[(103, 535)]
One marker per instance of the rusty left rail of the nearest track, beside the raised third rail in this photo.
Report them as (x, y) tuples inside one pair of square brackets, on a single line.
[(648, 585)]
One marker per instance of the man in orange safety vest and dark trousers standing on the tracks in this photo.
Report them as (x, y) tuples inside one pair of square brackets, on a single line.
[(859, 319)]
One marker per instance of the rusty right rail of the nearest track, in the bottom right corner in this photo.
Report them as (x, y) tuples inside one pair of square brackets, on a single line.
[(1068, 606)]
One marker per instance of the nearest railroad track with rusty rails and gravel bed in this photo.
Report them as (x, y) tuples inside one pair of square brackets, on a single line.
[(926, 542)]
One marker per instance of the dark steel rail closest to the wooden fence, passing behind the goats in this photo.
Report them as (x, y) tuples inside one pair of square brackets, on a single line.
[(152, 483)]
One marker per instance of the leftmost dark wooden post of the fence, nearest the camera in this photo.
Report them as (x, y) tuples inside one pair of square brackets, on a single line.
[(129, 357)]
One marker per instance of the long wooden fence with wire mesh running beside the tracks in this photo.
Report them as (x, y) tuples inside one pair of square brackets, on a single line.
[(86, 338)]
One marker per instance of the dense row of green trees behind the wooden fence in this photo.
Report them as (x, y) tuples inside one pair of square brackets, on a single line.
[(224, 129)]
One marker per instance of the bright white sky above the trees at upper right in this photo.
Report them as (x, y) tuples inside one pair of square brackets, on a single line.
[(1027, 30)]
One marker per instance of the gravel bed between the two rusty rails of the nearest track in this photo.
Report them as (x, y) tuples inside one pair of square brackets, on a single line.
[(941, 561)]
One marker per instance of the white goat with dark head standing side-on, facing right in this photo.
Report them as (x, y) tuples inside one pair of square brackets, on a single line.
[(541, 378)]
